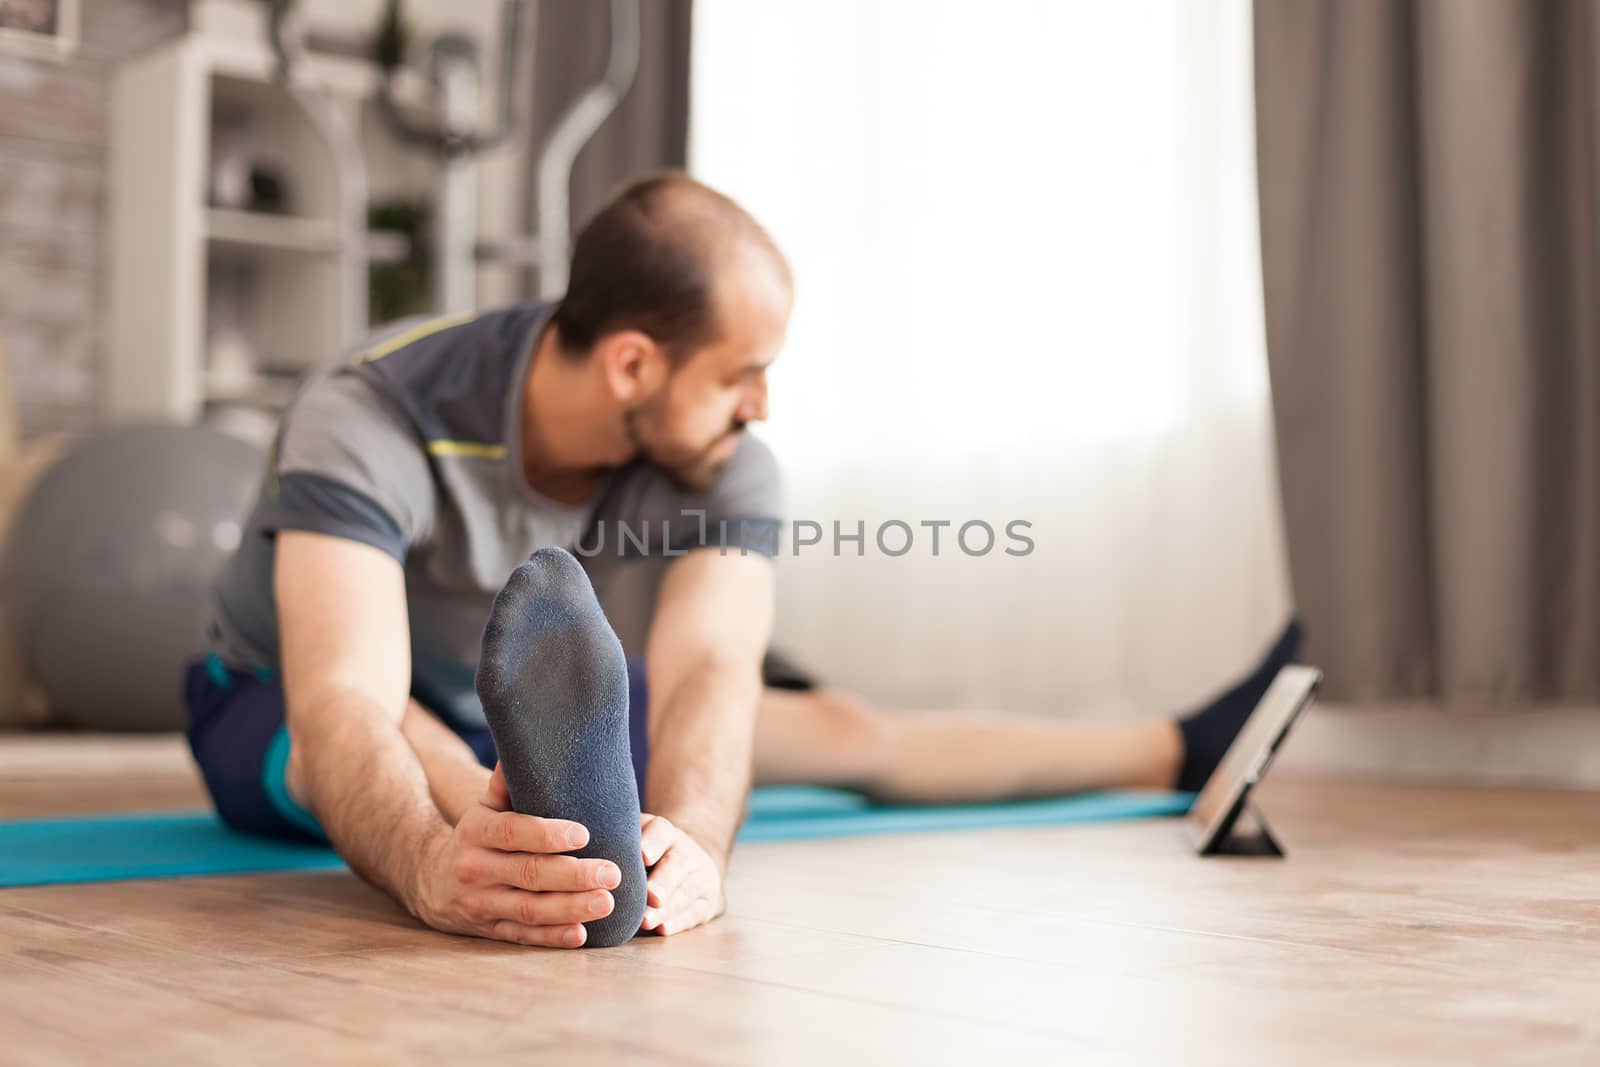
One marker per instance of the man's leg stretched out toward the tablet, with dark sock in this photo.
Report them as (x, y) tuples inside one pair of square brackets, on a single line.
[(831, 738)]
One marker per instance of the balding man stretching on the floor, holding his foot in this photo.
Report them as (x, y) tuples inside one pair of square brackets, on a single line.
[(370, 658)]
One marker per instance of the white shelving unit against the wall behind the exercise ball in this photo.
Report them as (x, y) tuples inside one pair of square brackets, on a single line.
[(287, 289)]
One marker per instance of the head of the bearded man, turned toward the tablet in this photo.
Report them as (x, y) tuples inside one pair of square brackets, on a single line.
[(684, 300)]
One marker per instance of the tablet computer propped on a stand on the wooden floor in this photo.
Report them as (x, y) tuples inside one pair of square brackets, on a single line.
[(1218, 821)]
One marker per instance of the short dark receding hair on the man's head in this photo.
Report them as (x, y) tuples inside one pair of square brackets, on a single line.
[(647, 263)]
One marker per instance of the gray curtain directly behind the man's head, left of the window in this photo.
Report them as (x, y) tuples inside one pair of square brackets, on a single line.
[(649, 130)]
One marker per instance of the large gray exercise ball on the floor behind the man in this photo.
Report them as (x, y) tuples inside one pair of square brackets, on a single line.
[(110, 569)]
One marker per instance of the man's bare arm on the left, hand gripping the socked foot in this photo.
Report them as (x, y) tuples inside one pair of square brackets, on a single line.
[(346, 679)]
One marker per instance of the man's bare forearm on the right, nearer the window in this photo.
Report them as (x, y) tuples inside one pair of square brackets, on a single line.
[(705, 669)]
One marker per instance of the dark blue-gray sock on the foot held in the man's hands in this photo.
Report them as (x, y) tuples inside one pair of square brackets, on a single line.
[(554, 689)]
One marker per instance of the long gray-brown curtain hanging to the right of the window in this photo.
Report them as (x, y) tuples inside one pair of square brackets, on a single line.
[(1430, 246)]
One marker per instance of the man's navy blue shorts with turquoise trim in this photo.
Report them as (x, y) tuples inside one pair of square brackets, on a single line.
[(242, 746)]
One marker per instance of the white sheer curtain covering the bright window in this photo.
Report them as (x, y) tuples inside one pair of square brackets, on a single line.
[(1025, 236)]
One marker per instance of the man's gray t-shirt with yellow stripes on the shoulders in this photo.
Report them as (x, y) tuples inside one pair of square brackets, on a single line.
[(415, 449)]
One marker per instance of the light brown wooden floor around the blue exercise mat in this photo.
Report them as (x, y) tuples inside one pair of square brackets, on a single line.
[(1409, 925)]
